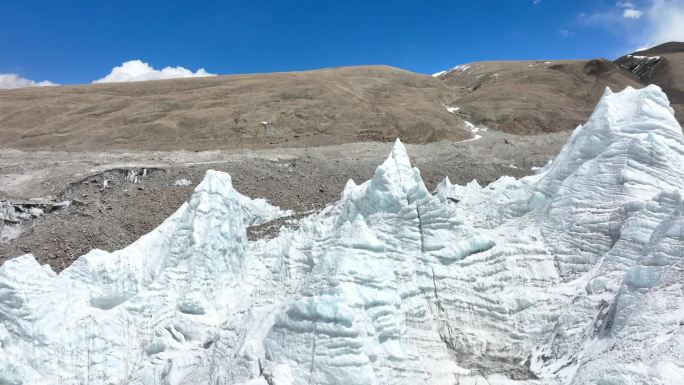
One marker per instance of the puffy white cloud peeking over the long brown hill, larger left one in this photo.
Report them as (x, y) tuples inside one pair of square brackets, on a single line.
[(136, 70)]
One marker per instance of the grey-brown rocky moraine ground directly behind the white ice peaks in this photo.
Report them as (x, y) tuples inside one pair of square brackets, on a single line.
[(132, 204)]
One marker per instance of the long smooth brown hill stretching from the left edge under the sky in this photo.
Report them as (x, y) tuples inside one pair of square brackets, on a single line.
[(302, 108)]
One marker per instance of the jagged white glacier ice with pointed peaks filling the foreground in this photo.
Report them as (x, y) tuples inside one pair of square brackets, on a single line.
[(570, 276)]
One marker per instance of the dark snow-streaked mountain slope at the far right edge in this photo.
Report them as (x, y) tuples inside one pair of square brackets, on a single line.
[(662, 65)]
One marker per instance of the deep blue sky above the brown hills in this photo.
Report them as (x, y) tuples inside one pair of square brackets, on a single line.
[(81, 41)]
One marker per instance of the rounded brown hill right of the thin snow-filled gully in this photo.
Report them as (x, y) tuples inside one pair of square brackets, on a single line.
[(526, 97)]
